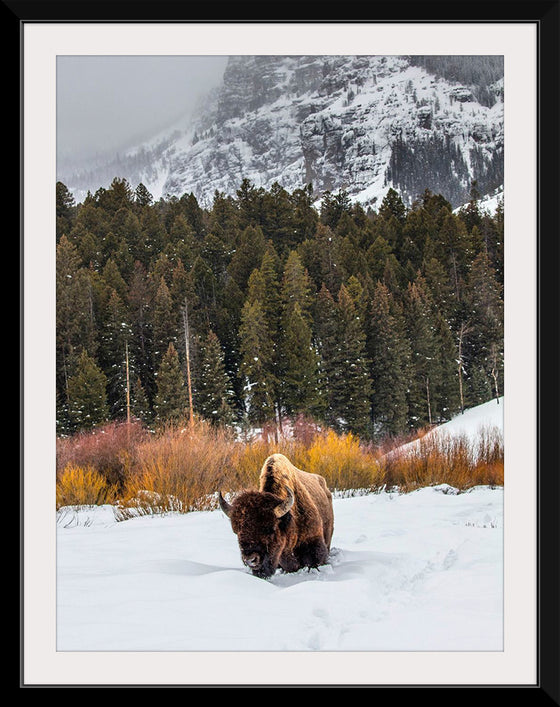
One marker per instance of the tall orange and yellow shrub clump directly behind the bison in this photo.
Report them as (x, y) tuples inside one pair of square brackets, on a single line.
[(182, 468)]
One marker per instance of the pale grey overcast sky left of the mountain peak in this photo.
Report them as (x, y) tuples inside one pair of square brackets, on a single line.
[(107, 102)]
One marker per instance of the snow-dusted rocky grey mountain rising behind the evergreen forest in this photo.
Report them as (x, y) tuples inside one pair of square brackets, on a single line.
[(358, 123)]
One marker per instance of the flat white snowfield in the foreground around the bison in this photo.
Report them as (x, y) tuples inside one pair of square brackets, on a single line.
[(412, 572)]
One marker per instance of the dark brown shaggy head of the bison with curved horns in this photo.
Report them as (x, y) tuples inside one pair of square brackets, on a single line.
[(262, 523)]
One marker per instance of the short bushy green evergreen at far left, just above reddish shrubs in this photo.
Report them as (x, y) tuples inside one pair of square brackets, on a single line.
[(87, 399)]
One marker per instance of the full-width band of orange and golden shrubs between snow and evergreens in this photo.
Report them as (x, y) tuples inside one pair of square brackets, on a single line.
[(182, 467)]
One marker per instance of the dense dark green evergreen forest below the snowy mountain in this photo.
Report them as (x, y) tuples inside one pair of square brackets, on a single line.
[(264, 307)]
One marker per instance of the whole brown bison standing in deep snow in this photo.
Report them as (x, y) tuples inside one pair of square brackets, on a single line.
[(287, 523)]
